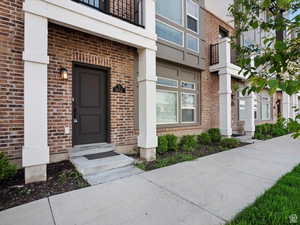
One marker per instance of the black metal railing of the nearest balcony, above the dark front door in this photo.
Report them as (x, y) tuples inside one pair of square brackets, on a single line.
[(130, 11)]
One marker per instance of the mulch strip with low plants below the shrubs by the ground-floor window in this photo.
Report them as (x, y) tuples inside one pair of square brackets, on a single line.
[(172, 157)]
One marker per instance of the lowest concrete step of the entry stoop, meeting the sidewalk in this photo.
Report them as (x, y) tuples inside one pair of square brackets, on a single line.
[(112, 175)]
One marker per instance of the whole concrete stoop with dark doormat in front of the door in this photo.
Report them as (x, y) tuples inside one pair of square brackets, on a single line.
[(99, 163)]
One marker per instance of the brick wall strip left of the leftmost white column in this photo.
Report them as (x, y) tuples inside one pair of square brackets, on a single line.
[(11, 77)]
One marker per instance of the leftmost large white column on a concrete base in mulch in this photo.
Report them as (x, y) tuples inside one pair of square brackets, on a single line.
[(35, 150)]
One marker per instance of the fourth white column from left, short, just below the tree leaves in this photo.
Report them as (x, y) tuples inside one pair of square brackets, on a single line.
[(250, 120)]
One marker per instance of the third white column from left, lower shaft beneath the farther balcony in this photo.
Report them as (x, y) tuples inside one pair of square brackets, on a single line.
[(225, 102)]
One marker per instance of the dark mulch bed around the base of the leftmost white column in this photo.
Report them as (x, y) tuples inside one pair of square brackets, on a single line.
[(62, 177)]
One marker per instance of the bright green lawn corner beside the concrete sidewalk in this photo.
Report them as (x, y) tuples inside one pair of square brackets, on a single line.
[(280, 205)]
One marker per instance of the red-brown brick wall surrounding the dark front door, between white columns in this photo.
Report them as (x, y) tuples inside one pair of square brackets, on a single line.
[(67, 46)]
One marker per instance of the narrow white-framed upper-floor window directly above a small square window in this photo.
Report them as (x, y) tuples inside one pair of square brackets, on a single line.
[(192, 14)]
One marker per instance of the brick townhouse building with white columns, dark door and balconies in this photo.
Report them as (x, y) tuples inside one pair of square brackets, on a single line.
[(75, 73)]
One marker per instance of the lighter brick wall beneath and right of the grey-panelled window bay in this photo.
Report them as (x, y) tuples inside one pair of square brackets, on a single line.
[(209, 91)]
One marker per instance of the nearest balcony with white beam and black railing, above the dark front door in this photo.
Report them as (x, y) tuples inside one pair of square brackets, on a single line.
[(129, 22)]
